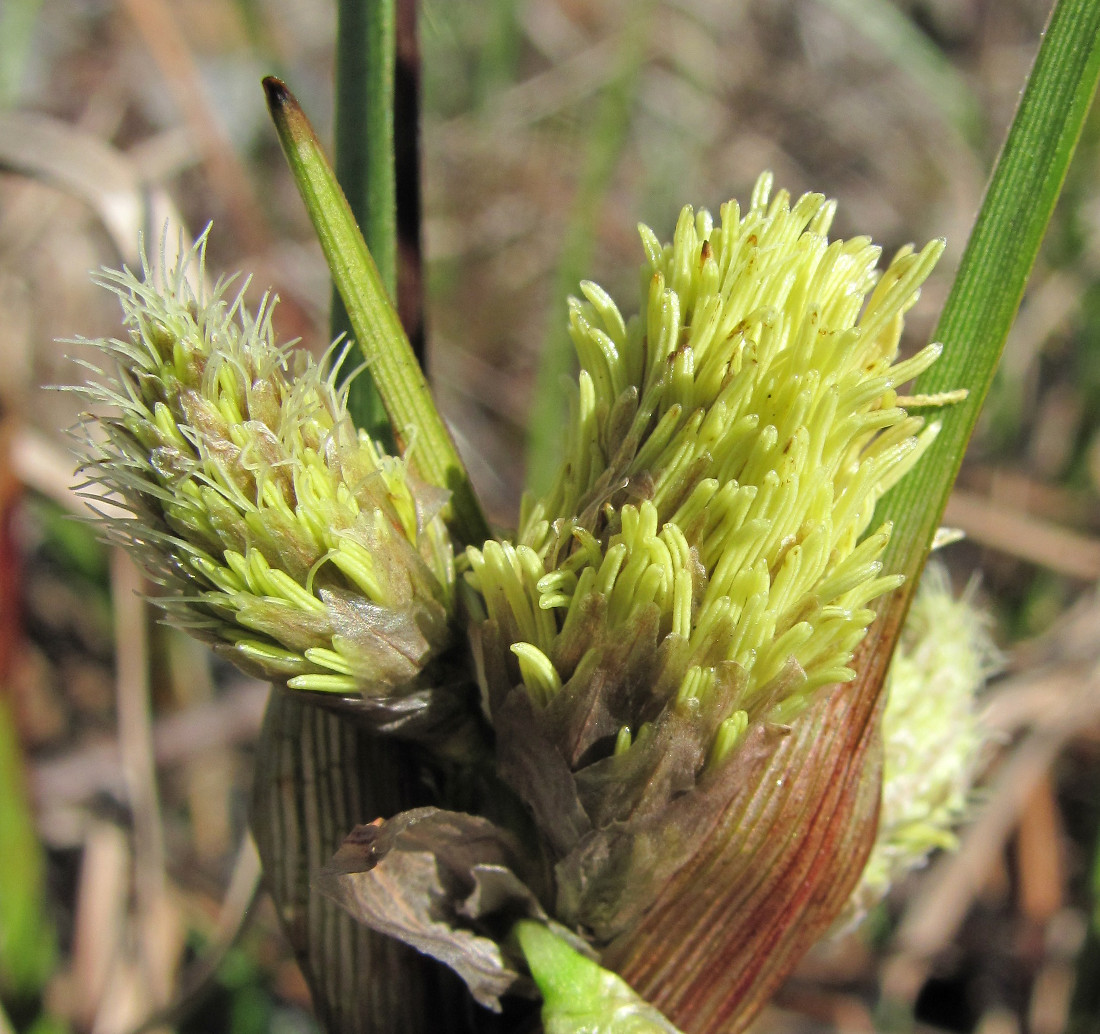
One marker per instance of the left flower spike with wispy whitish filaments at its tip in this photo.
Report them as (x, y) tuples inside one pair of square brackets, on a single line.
[(280, 533)]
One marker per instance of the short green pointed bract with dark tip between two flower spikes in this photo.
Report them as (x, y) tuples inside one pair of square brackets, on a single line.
[(419, 428)]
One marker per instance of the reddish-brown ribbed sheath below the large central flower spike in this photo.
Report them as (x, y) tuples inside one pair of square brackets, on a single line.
[(778, 868)]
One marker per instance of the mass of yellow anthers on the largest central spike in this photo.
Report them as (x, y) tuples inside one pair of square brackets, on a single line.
[(727, 452)]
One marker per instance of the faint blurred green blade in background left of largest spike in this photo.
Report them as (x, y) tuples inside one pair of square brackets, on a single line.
[(607, 138)]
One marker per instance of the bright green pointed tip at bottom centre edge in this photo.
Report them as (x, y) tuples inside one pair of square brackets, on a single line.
[(579, 997)]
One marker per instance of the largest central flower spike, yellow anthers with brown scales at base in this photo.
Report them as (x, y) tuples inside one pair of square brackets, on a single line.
[(706, 559)]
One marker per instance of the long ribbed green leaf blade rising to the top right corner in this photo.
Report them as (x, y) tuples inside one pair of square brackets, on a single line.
[(995, 269)]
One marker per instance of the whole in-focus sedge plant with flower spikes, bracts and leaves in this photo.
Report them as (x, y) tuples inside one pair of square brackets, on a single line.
[(651, 725)]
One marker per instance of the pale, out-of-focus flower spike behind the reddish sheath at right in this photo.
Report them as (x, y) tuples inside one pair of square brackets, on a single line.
[(943, 659)]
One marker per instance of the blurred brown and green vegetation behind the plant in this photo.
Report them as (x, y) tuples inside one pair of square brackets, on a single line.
[(551, 128)]
